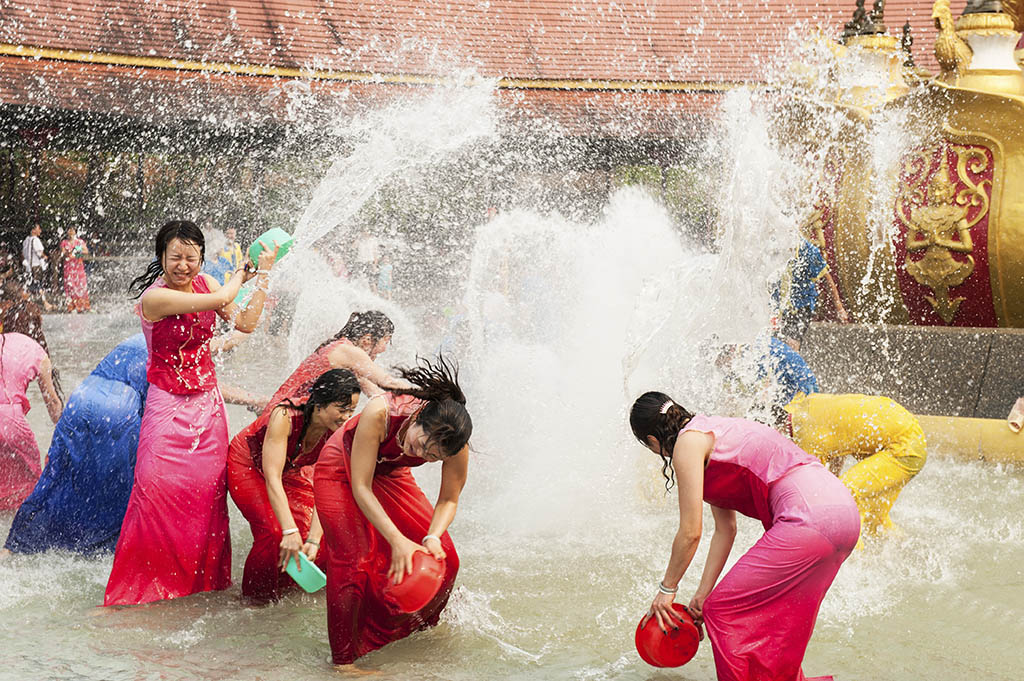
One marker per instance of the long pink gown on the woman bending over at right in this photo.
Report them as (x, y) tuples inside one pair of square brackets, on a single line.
[(761, 616)]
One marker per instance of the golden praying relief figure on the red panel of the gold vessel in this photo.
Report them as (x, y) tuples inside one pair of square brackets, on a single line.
[(941, 228)]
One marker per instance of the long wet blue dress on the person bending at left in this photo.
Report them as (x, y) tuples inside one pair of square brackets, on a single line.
[(80, 500)]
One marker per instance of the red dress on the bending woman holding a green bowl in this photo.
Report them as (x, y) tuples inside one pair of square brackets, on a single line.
[(263, 580)]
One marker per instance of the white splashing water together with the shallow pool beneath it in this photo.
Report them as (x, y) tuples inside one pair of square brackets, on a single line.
[(559, 321)]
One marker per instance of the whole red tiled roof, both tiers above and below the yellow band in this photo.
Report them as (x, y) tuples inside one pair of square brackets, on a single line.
[(695, 41)]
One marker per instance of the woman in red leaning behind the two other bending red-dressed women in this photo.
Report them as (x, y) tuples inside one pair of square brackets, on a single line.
[(356, 348)]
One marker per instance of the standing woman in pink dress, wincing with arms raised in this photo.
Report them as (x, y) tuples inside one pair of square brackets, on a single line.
[(175, 540)]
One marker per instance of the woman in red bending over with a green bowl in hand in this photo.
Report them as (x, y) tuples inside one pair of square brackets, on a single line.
[(270, 477)]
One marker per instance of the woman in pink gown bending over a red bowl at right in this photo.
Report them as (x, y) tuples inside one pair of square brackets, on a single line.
[(761, 616)]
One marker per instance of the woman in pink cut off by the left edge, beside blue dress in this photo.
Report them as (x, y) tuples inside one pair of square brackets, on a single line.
[(22, 362)]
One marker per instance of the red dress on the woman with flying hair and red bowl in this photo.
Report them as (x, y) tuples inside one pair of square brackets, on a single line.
[(360, 619)]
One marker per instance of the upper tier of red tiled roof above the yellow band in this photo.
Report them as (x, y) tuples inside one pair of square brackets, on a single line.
[(668, 40)]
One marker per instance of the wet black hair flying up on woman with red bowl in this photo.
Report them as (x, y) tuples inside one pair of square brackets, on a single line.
[(444, 417)]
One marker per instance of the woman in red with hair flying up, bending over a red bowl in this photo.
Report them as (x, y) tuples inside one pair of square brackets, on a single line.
[(375, 517)]
